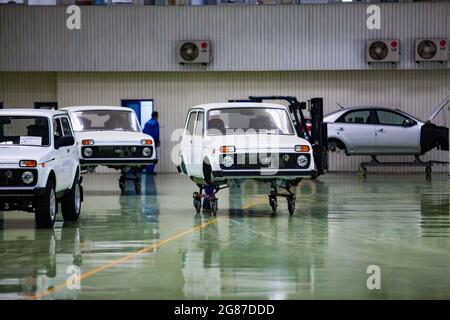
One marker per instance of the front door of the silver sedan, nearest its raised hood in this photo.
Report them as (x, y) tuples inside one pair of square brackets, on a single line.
[(396, 133)]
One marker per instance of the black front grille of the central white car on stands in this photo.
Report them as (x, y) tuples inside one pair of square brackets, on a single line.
[(250, 161)]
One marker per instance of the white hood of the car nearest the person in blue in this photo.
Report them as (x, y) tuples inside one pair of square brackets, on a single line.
[(116, 137)]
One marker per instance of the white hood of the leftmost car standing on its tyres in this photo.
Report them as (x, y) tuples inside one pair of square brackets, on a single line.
[(13, 154)]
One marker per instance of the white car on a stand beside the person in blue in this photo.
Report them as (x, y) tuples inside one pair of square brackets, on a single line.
[(112, 136)]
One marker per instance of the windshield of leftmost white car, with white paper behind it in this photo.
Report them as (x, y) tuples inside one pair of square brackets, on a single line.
[(24, 131)]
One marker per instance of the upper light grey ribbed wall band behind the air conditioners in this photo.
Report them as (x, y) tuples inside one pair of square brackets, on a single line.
[(244, 38)]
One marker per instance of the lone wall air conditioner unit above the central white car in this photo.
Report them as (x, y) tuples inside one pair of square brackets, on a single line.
[(194, 51)]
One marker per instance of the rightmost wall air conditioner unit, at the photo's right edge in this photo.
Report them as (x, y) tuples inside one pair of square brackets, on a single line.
[(431, 49)]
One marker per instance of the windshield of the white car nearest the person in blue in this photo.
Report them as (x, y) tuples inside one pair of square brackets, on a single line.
[(105, 120)]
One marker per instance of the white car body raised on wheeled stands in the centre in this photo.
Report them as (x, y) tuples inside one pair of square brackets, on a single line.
[(201, 155)]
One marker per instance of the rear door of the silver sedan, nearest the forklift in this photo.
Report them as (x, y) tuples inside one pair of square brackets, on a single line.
[(356, 129)]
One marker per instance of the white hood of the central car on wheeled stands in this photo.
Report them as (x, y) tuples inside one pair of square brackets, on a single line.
[(255, 141)]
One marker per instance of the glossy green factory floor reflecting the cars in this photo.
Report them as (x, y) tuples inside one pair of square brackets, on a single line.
[(343, 224)]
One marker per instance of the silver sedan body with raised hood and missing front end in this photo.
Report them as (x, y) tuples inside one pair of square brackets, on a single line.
[(384, 131)]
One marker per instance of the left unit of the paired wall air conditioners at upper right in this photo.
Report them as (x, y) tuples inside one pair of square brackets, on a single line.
[(383, 51)]
